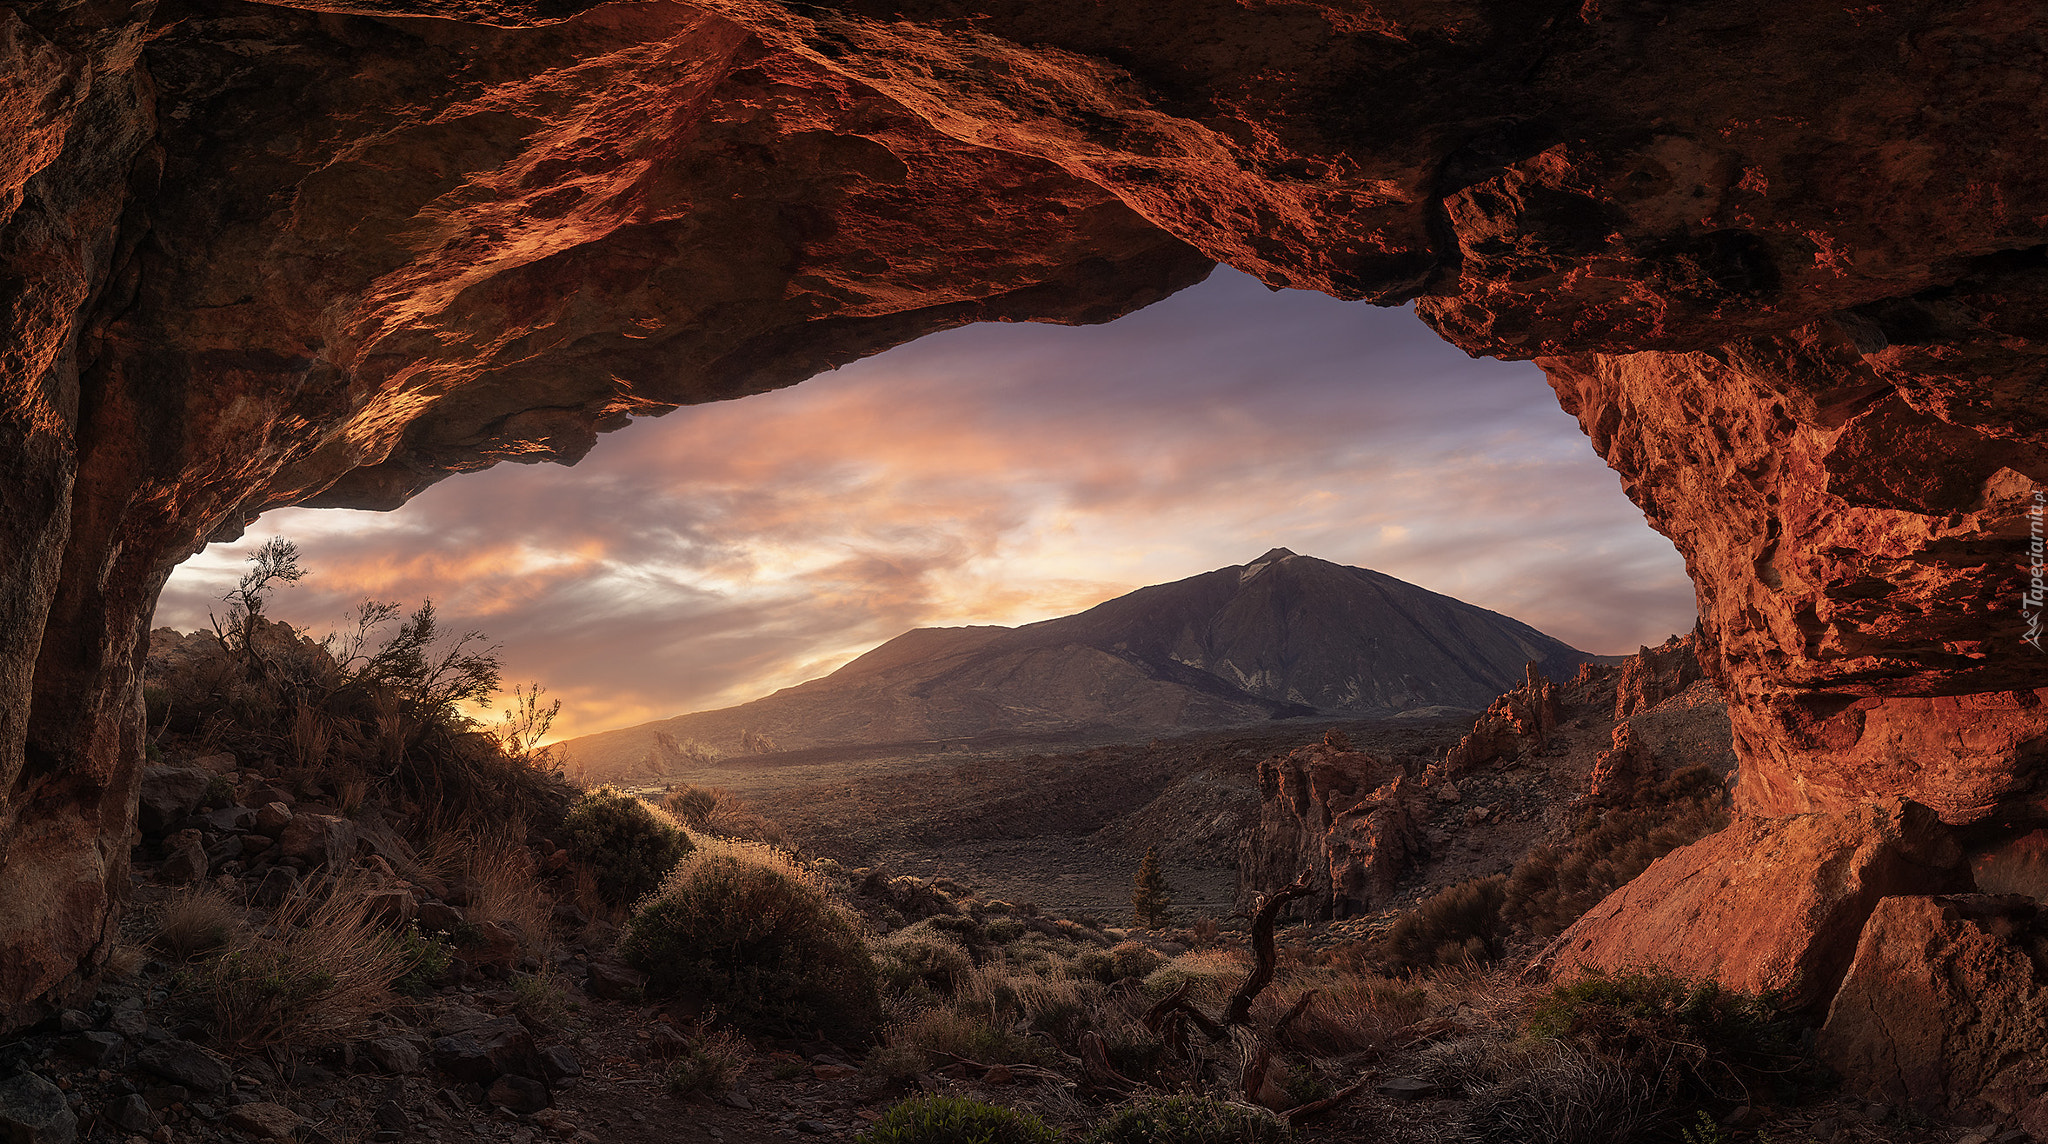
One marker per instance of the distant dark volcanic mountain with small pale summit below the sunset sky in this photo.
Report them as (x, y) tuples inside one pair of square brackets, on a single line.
[(1279, 637)]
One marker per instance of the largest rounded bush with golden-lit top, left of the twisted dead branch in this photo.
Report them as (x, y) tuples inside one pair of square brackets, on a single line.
[(761, 942)]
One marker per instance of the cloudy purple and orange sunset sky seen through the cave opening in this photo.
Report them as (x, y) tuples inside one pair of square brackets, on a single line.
[(996, 476)]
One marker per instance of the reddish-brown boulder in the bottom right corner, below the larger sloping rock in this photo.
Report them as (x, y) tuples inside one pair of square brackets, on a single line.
[(1943, 1008)]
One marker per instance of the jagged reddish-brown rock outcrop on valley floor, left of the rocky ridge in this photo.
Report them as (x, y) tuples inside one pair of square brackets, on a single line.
[(1345, 820)]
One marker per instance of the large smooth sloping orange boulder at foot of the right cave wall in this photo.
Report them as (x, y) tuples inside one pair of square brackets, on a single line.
[(1766, 904)]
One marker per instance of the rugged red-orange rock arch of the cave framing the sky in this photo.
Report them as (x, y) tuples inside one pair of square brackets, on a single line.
[(1783, 265)]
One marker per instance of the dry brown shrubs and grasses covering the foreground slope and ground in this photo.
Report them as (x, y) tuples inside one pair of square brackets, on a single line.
[(689, 951)]
